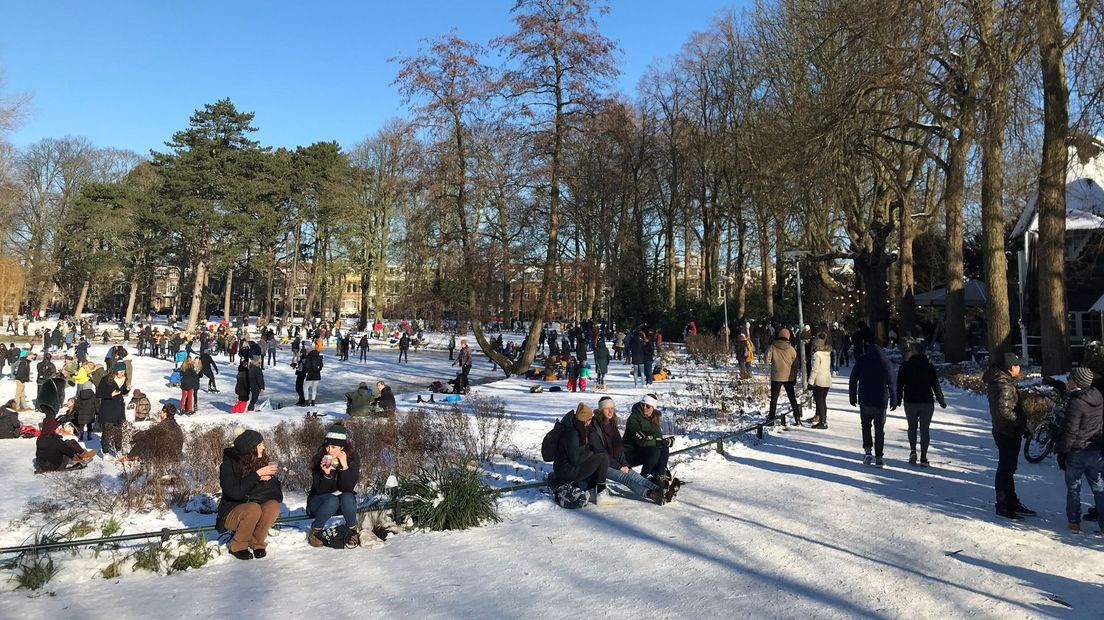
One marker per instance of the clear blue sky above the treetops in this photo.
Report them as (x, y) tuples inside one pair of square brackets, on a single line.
[(130, 74)]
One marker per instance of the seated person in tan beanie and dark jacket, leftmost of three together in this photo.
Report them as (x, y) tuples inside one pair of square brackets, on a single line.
[(576, 462)]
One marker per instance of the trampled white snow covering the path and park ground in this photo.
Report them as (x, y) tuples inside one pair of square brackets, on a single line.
[(794, 527)]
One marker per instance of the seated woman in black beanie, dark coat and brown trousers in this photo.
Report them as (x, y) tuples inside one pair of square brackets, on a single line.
[(251, 496)]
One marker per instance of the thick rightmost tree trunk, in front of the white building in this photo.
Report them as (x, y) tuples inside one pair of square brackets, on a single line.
[(1052, 205)]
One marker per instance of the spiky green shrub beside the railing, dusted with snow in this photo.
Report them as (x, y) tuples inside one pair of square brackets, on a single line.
[(447, 496)]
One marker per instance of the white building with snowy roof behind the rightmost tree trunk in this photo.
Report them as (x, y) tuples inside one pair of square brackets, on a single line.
[(1085, 255)]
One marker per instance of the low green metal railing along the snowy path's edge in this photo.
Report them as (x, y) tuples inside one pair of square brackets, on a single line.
[(166, 533)]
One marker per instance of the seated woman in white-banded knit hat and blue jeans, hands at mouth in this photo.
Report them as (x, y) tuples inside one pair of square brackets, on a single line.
[(334, 480)]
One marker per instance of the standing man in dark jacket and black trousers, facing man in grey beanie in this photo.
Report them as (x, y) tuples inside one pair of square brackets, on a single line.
[(1010, 424)]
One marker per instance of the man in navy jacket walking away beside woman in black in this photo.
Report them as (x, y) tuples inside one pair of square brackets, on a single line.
[(873, 388)]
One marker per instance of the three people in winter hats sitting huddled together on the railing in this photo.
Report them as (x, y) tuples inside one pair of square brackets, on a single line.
[(592, 451)]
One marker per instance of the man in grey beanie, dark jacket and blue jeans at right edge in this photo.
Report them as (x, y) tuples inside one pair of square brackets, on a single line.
[(1079, 446)]
